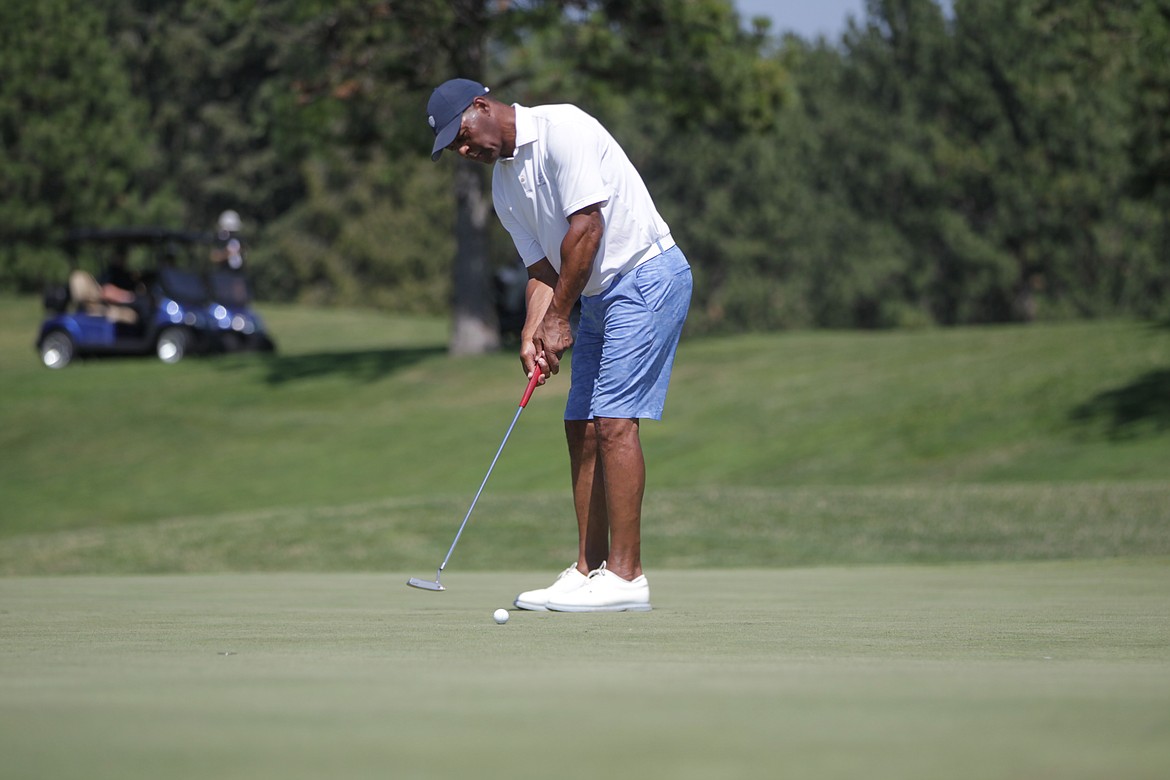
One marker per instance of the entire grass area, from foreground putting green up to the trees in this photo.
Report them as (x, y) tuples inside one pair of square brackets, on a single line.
[(914, 555)]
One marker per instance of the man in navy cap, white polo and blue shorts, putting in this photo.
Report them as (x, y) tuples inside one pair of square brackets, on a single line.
[(586, 226)]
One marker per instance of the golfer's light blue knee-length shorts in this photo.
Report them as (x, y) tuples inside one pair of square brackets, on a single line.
[(627, 341)]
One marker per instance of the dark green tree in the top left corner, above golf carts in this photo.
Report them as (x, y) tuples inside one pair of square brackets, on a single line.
[(75, 149)]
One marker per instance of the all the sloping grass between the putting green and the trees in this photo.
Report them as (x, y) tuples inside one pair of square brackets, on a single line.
[(361, 444)]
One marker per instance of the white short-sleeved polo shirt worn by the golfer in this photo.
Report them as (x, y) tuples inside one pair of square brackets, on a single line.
[(565, 162)]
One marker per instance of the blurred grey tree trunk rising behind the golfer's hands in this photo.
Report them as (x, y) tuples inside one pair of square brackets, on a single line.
[(476, 328)]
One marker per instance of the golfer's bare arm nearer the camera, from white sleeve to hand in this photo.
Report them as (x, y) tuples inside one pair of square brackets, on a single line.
[(579, 250)]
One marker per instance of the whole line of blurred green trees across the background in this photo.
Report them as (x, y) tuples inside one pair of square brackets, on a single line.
[(994, 161)]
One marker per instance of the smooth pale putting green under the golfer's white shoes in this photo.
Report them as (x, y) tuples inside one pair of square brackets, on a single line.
[(1056, 669)]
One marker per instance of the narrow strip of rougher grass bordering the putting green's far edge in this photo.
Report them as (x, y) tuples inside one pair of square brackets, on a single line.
[(683, 529)]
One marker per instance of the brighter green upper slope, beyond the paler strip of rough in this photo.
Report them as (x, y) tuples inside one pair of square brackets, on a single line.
[(362, 409)]
